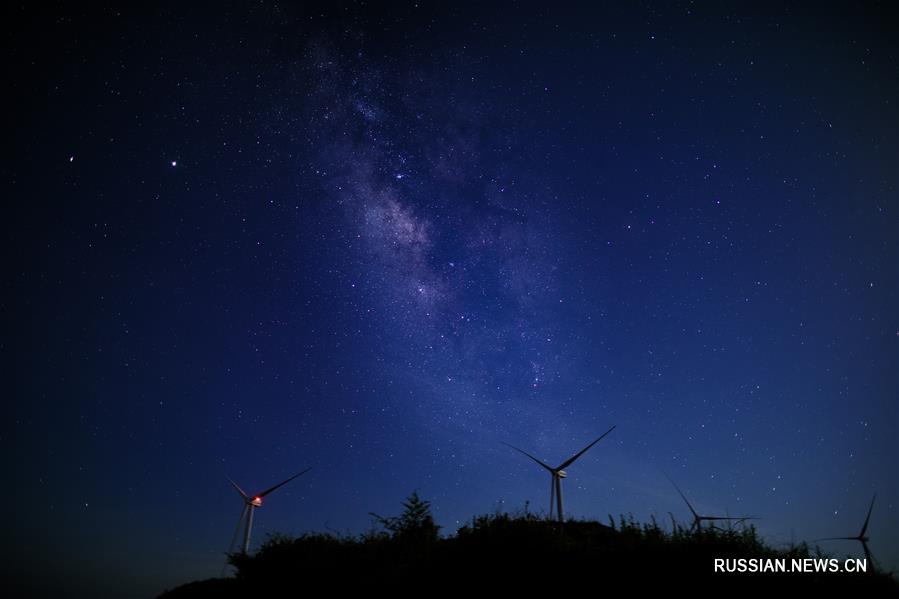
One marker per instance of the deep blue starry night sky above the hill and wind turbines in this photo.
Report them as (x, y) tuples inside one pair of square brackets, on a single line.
[(381, 240)]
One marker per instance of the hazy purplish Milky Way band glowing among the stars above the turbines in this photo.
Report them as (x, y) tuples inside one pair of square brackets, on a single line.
[(453, 253)]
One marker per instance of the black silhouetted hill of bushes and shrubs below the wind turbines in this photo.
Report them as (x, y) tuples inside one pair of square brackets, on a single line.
[(520, 551)]
